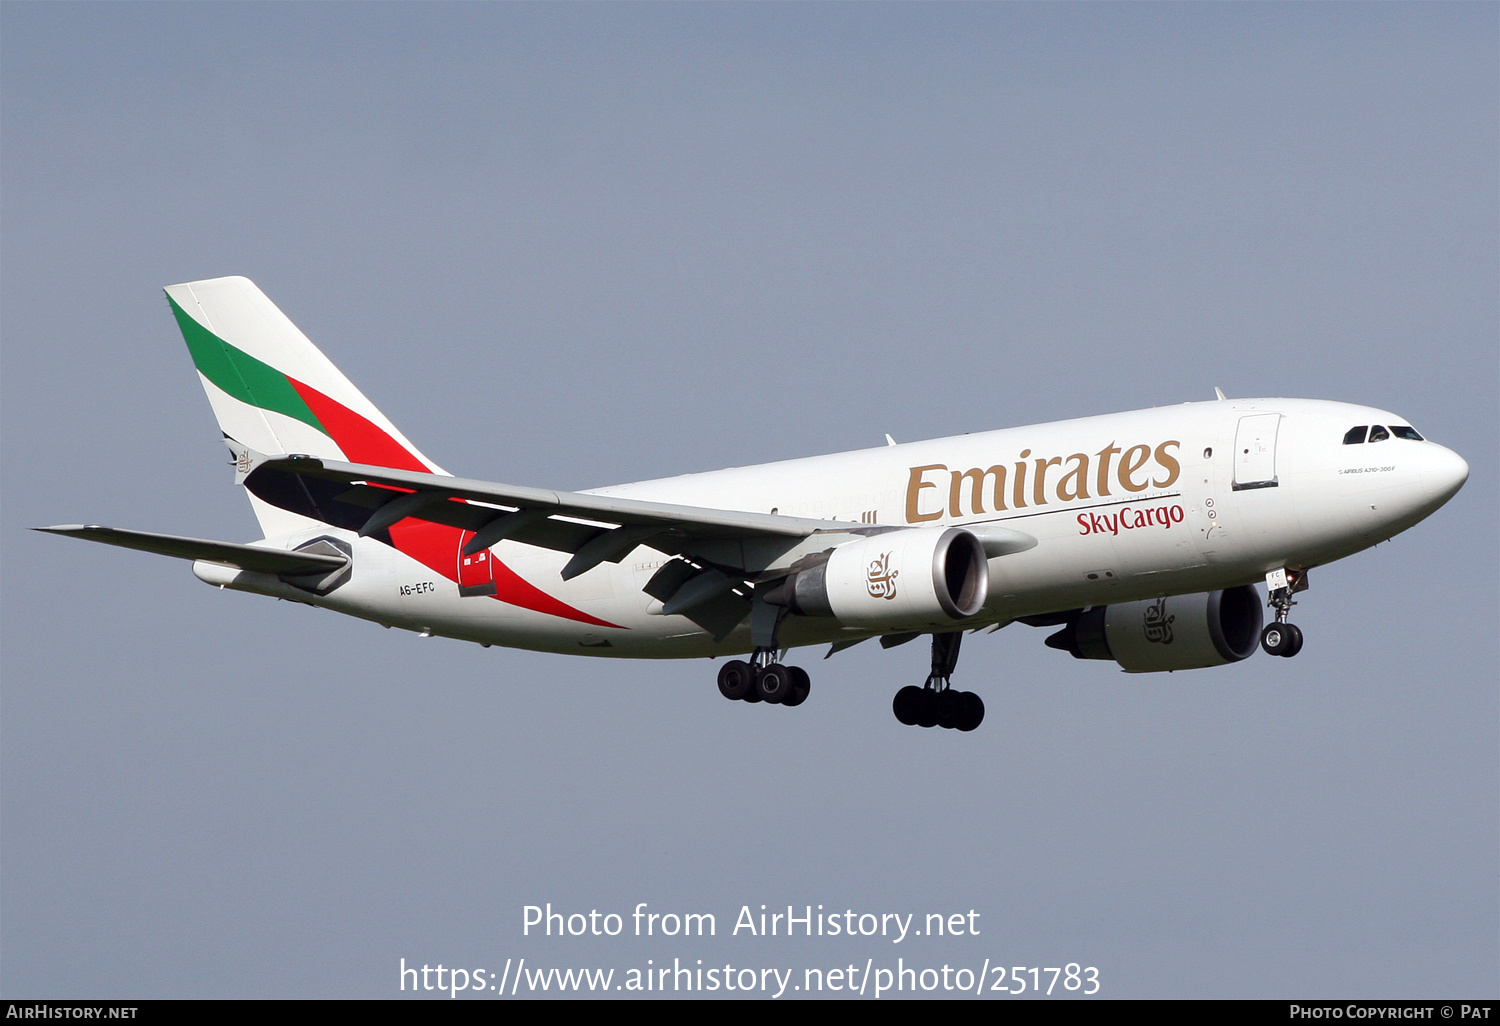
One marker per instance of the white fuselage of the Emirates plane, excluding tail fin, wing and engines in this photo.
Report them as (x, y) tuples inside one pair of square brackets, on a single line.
[(1127, 506)]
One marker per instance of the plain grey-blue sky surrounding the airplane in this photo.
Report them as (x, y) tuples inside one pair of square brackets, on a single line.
[(580, 245)]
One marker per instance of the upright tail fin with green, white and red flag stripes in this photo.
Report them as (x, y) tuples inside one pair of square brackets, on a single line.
[(275, 392)]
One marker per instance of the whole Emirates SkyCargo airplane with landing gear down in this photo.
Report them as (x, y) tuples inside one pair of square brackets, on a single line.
[(1139, 536)]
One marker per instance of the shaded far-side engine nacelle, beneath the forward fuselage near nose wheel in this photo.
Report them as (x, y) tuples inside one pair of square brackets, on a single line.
[(1178, 632)]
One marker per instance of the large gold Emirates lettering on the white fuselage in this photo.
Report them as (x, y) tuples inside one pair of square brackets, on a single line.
[(1138, 470)]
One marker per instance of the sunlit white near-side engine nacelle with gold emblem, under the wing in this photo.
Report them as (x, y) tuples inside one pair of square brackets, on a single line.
[(910, 578)]
